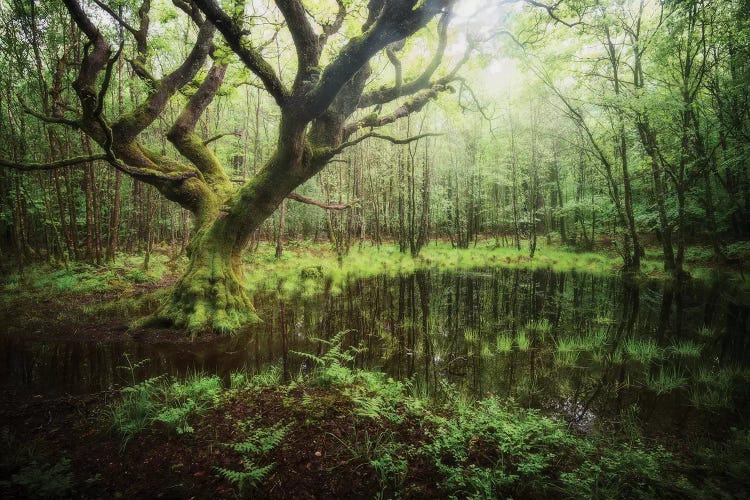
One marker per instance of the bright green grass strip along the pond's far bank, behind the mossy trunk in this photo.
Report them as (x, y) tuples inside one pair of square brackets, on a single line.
[(308, 269)]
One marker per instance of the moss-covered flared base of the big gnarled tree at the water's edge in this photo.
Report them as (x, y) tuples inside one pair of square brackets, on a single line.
[(208, 297)]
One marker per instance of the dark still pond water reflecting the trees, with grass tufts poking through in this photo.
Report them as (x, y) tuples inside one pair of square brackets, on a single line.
[(589, 348)]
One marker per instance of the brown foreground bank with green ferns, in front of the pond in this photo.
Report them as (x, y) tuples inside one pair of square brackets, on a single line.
[(339, 433)]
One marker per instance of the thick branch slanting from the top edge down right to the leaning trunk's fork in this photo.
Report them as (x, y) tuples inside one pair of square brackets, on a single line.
[(250, 56)]
